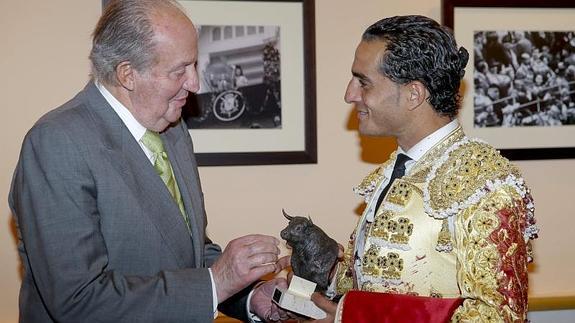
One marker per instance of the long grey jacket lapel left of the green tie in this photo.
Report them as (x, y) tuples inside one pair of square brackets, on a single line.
[(139, 174)]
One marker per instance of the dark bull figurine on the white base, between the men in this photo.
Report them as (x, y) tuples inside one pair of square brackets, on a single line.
[(314, 253)]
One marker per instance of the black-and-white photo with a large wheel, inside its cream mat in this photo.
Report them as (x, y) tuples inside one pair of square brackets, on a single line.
[(239, 69)]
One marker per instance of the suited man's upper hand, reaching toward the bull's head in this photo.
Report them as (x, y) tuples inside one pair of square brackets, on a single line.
[(243, 261)]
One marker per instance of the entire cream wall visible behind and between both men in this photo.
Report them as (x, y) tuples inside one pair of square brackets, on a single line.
[(43, 61)]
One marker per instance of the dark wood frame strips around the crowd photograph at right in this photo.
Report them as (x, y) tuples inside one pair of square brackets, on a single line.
[(448, 8)]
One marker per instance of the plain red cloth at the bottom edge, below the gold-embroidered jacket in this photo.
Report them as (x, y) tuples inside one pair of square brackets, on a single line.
[(371, 307)]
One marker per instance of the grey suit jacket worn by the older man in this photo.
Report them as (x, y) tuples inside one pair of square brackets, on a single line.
[(100, 237)]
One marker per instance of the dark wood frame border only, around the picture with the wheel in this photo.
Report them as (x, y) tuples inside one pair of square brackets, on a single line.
[(309, 153)]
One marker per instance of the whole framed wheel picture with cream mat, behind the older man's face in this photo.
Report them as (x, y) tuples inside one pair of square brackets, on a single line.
[(270, 116)]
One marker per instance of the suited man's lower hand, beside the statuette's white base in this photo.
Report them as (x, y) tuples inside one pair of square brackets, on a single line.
[(261, 302)]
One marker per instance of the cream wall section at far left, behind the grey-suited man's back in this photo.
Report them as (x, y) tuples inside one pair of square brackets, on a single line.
[(43, 61)]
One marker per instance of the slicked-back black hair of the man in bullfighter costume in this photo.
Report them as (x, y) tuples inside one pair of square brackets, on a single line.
[(419, 49)]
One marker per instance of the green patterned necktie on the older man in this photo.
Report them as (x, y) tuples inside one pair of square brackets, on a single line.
[(162, 165)]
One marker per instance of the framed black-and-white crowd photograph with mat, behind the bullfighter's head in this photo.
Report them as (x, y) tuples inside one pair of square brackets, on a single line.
[(519, 85)]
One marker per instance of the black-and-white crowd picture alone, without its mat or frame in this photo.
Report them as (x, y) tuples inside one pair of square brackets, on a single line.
[(524, 78)]
